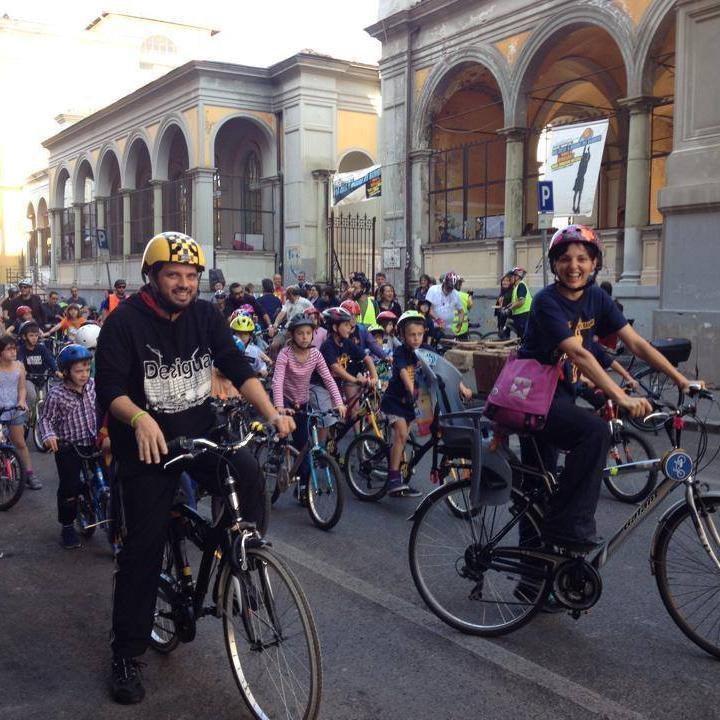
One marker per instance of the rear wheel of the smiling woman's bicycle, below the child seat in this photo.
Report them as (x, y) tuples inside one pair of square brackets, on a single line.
[(451, 580)]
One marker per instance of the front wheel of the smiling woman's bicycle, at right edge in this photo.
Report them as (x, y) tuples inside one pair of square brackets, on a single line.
[(678, 553)]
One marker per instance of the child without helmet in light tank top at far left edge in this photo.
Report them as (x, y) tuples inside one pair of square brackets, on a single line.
[(13, 394)]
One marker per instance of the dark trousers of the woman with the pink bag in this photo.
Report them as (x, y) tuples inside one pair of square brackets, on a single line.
[(586, 438)]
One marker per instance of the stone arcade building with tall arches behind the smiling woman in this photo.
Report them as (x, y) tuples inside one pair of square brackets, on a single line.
[(469, 91)]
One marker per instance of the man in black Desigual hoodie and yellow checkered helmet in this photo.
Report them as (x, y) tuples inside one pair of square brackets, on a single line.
[(153, 373)]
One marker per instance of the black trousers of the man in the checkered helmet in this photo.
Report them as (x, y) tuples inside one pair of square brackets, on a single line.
[(147, 495)]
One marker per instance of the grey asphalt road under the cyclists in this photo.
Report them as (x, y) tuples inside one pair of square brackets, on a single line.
[(384, 654)]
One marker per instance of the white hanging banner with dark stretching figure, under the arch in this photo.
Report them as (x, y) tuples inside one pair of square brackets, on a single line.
[(573, 166)]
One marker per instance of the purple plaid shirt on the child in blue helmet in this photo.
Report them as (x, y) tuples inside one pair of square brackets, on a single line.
[(69, 415)]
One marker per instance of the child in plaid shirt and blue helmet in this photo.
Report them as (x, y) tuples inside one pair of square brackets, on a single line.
[(69, 415)]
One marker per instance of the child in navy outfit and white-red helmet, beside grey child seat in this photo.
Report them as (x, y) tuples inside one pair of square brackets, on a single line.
[(398, 402)]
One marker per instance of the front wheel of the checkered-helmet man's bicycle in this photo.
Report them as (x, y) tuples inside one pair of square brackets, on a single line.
[(254, 603)]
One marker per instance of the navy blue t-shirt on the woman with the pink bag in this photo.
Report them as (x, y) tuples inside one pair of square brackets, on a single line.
[(554, 318)]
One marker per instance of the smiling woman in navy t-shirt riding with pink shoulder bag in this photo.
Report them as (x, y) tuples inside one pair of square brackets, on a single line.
[(564, 318)]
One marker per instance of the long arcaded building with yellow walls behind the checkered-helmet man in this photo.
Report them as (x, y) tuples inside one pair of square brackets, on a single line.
[(237, 156)]
